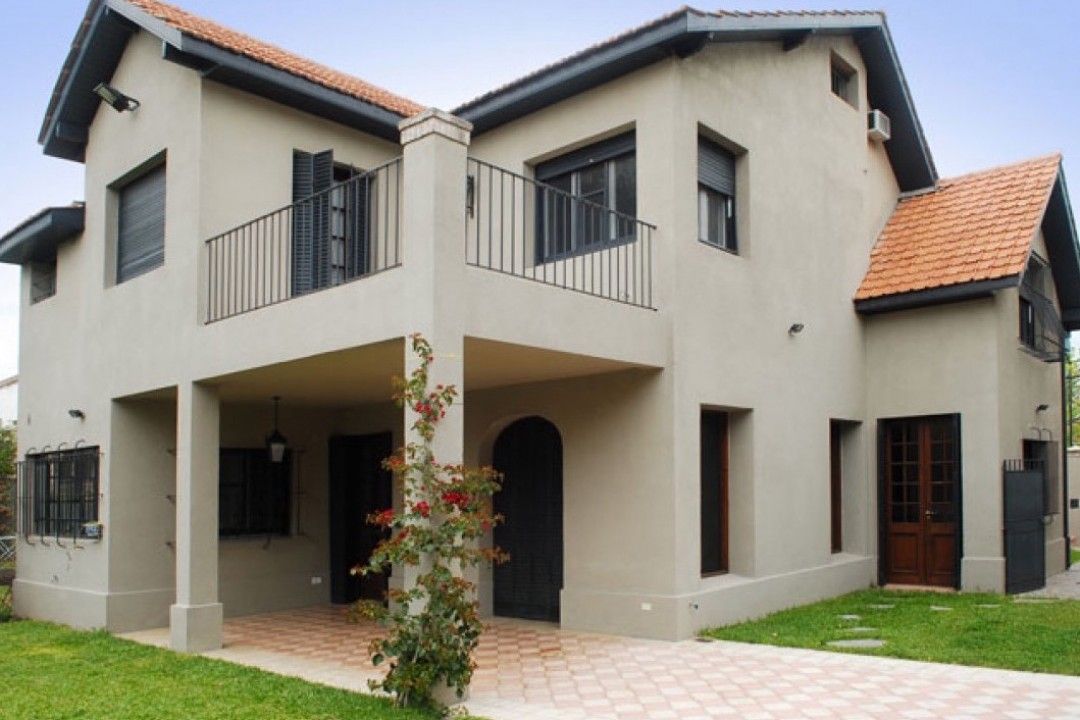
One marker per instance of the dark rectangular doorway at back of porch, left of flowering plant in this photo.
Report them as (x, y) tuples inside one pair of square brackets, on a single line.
[(359, 486)]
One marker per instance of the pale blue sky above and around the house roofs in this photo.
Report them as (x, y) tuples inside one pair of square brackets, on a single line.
[(994, 81)]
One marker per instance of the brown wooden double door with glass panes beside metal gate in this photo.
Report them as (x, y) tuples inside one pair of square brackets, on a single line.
[(922, 495)]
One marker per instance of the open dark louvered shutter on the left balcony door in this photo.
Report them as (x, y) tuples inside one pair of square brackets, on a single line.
[(313, 173)]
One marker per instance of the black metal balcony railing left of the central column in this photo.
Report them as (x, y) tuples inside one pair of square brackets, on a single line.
[(349, 232)]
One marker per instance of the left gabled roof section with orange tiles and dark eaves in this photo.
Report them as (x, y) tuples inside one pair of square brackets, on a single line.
[(221, 53)]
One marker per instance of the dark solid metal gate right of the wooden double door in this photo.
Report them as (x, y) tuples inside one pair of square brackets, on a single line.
[(1024, 531)]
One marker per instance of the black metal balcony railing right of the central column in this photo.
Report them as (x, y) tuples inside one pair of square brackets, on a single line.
[(532, 230)]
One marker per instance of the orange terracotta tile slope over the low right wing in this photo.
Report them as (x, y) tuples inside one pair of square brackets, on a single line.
[(971, 228)]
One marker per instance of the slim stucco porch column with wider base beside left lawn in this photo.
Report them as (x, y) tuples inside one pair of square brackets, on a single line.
[(196, 618)]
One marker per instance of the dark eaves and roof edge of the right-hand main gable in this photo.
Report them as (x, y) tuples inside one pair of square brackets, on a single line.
[(685, 32)]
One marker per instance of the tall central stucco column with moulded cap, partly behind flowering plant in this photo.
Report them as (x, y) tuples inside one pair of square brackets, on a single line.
[(435, 150)]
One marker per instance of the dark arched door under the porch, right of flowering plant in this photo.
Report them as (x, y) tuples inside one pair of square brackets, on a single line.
[(530, 456)]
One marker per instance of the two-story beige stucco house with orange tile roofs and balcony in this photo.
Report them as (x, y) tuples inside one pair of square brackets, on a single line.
[(732, 341)]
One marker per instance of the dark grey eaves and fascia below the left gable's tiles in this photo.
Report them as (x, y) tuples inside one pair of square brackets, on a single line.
[(100, 45)]
